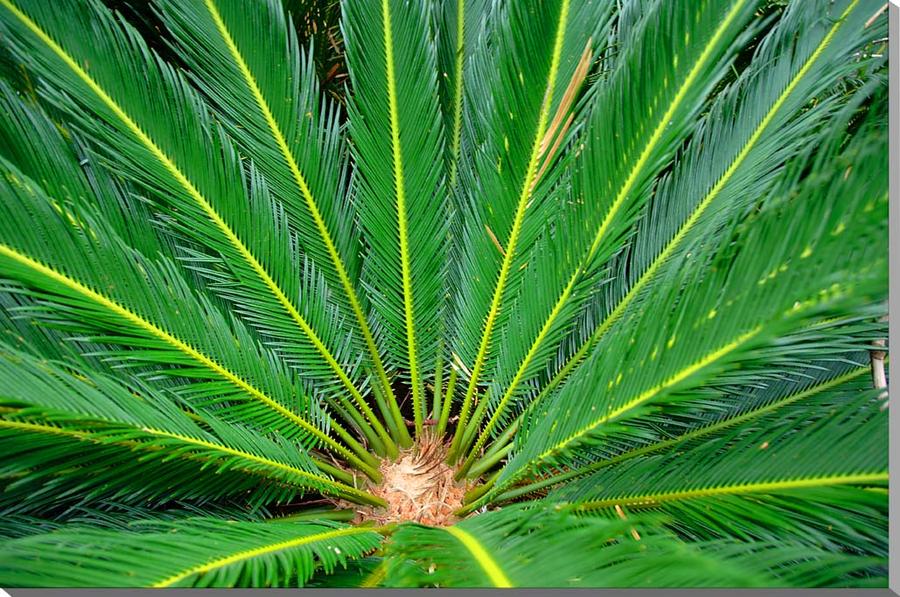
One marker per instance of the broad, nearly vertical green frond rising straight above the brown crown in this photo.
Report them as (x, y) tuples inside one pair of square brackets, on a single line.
[(397, 138)]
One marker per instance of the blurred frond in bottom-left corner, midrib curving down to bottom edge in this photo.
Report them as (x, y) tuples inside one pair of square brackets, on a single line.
[(199, 552)]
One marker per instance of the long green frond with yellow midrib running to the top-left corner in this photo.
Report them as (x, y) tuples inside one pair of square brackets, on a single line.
[(191, 168)]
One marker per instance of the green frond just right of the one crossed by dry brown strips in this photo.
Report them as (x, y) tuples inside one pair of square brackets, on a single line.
[(645, 143)]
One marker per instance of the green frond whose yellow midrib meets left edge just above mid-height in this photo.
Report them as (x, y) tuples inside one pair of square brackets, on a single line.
[(107, 291)]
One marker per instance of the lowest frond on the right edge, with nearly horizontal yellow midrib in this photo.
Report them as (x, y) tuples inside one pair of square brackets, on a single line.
[(803, 473)]
